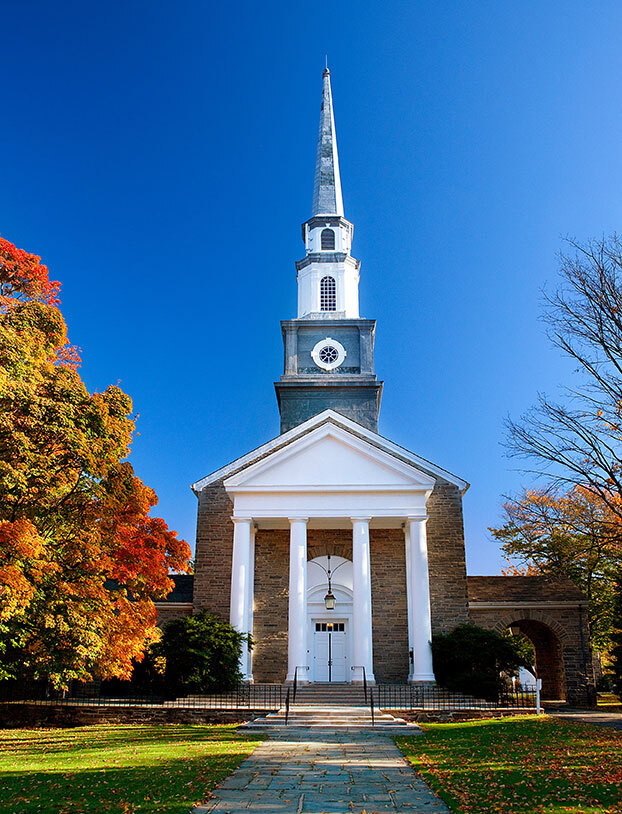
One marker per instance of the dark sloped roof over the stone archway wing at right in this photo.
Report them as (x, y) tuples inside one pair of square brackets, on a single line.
[(523, 589)]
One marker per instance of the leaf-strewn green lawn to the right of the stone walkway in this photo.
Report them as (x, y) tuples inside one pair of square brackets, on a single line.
[(521, 765)]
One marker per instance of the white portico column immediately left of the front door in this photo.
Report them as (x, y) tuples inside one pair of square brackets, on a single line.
[(297, 622)]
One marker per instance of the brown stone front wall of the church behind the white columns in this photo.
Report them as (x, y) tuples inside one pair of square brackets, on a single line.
[(388, 577)]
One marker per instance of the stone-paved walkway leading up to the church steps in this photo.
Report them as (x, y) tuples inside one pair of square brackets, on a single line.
[(319, 771)]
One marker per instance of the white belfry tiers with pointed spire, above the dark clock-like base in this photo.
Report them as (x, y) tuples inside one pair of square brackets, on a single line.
[(328, 276)]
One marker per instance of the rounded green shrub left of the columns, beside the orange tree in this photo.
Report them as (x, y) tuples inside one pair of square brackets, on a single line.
[(202, 654)]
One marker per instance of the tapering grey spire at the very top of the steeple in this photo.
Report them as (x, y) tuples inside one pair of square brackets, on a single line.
[(327, 198)]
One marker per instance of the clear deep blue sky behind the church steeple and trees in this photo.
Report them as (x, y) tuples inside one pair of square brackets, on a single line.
[(159, 156)]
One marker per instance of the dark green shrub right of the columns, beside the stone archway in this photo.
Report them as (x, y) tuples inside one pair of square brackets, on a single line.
[(470, 660)]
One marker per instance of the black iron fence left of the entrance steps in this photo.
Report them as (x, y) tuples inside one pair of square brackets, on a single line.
[(244, 696)]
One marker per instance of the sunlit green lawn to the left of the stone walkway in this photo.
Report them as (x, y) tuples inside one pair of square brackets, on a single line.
[(116, 769)]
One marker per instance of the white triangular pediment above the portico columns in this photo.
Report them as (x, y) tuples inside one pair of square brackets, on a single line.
[(329, 458)]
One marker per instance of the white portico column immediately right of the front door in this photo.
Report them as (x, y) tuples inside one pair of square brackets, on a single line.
[(361, 608)]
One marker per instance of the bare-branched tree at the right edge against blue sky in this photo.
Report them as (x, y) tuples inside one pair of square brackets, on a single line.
[(576, 440)]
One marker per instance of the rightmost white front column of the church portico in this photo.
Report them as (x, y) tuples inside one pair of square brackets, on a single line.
[(419, 597)]
